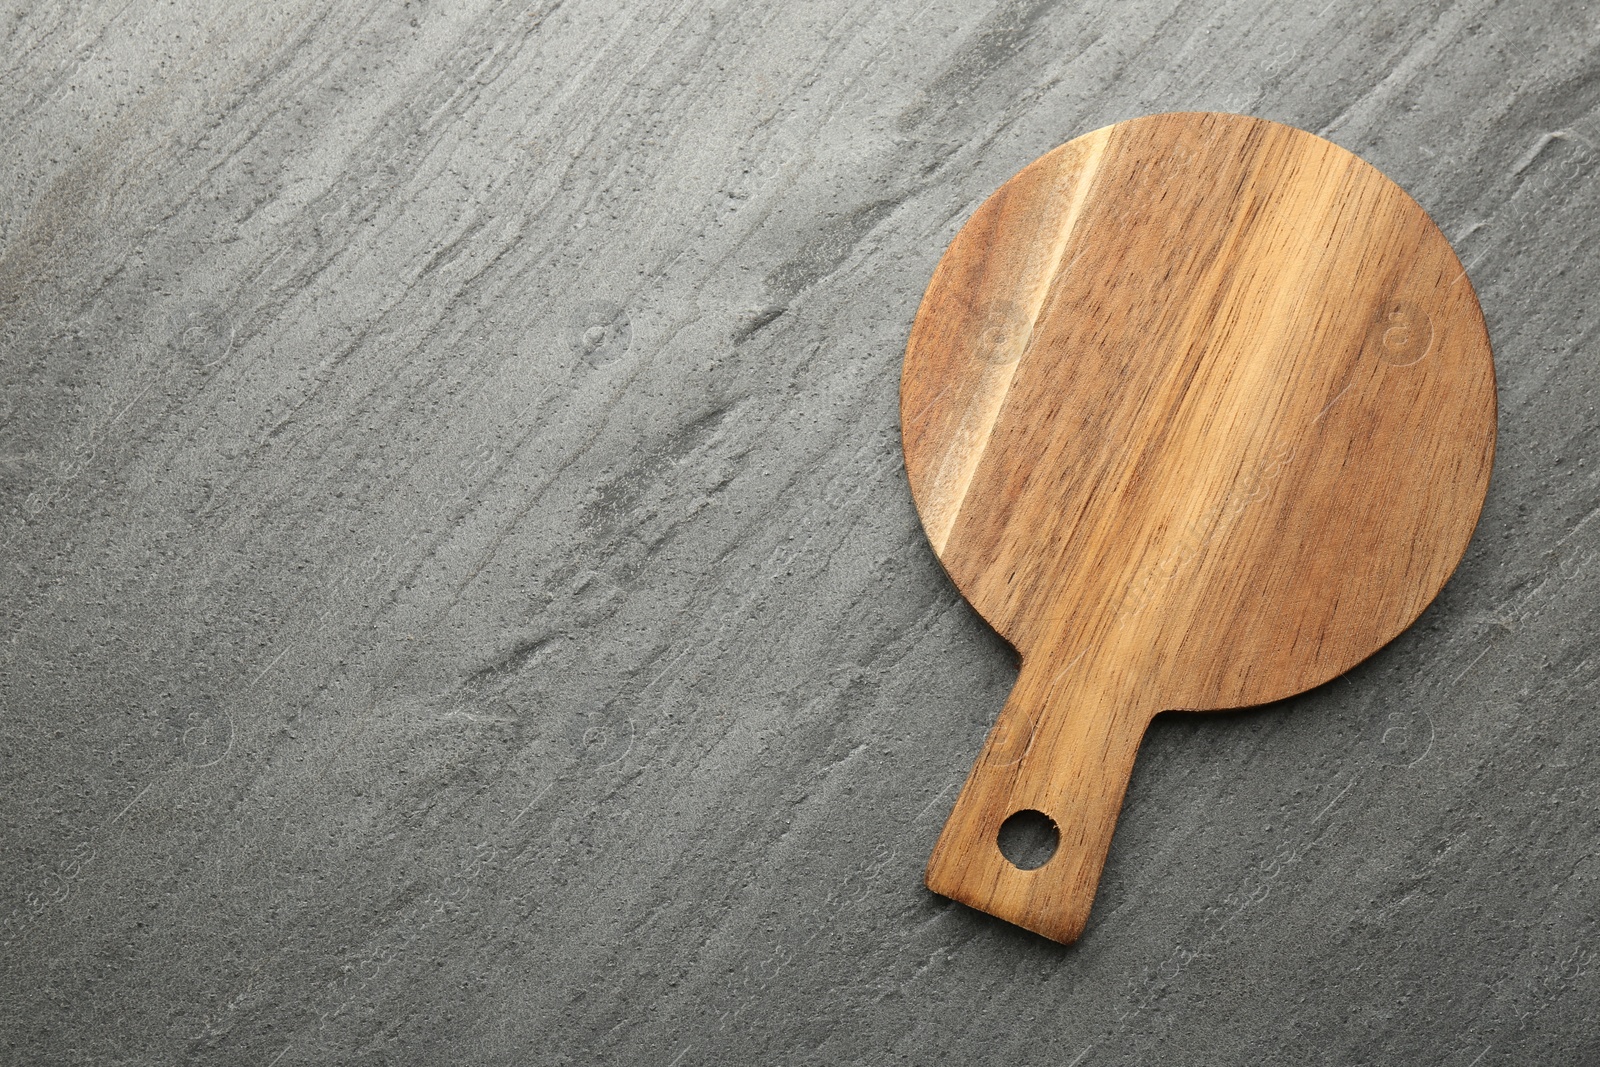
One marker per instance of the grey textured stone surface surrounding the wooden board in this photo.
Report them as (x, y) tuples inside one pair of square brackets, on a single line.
[(463, 602)]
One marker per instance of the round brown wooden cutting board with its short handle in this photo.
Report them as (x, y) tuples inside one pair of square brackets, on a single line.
[(1199, 414)]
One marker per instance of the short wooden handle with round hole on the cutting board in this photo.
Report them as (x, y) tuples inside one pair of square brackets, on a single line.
[(1063, 746)]
